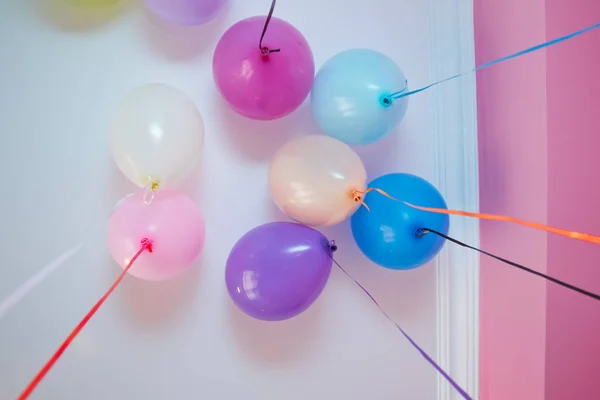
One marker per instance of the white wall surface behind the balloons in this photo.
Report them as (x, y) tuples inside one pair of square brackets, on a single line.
[(59, 80)]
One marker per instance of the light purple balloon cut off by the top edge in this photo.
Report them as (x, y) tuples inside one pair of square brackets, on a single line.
[(186, 12)]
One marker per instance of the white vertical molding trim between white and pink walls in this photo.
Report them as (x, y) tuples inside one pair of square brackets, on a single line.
[(454, 127)]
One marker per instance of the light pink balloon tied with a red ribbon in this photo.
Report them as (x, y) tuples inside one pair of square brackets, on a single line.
[(172, 221)]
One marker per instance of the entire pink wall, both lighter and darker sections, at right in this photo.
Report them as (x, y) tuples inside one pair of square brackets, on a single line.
[(539, 133)]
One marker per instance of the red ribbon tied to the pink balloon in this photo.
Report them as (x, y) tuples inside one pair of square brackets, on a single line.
[(146, 244)]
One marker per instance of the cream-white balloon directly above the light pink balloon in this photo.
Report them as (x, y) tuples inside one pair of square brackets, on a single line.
[(156, 135)]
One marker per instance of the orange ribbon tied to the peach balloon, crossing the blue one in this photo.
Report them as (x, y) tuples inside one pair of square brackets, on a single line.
[(586, 237)]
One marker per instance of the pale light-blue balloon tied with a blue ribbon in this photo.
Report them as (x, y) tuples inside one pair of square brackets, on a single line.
[(351, 99)]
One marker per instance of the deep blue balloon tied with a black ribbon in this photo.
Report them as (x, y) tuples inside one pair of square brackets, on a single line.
[(387, 234)]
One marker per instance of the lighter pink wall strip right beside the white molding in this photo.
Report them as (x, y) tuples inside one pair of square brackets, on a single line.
[(512, 162)]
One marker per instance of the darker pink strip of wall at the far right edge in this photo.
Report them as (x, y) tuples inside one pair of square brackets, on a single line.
[(573, 90)]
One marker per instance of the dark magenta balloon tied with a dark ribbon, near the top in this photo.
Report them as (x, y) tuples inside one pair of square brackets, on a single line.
[(258, 86)]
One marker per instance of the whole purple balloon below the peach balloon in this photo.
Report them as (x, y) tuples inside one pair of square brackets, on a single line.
[(277, 270)]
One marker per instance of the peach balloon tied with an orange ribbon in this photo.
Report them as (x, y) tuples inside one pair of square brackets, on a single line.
[(312, 179)]
